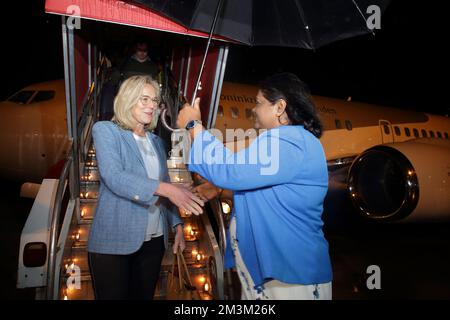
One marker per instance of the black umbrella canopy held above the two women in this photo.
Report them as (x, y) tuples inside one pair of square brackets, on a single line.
[(292, 23)]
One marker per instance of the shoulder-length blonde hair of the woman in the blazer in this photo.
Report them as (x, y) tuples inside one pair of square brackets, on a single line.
[(128, 96)]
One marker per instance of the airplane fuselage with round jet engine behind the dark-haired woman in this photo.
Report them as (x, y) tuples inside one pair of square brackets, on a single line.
[(393, 164)]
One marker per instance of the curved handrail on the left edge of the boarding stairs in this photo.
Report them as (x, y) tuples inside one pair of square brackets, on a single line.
[(53, 228)]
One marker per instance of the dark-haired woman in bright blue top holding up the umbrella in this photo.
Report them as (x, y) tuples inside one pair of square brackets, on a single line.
[(279, 184)]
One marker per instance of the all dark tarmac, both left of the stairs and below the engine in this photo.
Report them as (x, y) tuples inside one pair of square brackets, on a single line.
[(414, 259)]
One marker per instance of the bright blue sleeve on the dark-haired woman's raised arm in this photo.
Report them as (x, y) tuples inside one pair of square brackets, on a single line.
[(269, 160)]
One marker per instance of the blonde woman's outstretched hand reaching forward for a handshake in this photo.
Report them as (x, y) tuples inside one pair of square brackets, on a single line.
[(182, 197)]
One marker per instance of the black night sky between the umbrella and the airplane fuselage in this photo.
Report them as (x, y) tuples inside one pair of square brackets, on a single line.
[(404, 65)]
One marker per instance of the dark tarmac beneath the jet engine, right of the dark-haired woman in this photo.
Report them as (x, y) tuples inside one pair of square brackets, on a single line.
[(413, 259)]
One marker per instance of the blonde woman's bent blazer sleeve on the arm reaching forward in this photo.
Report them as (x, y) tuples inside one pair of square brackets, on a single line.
[(124, 184)]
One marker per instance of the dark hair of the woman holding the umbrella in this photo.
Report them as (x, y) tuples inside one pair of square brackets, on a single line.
[(299, 106)]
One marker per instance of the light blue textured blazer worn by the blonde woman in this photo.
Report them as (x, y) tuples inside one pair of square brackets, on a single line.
[(126, 192)]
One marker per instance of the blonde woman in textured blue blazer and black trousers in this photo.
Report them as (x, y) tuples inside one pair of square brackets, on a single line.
[(135, 206)]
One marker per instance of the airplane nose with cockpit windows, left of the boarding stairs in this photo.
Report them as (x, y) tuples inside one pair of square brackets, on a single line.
[(33, 131)]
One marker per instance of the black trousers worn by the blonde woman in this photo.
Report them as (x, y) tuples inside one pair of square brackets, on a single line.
[(133, 276)]
